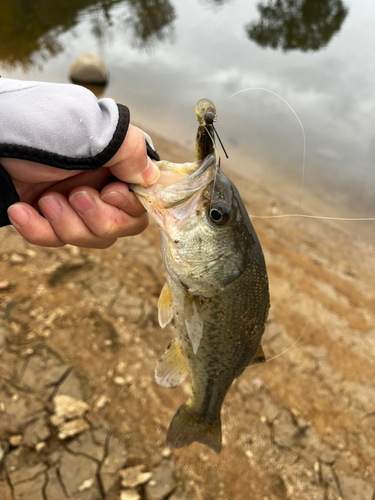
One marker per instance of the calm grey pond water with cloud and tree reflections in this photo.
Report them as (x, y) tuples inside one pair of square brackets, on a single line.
[(165, 55)]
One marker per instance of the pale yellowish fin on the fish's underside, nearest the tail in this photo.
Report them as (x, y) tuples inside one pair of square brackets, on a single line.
[(171, 369)]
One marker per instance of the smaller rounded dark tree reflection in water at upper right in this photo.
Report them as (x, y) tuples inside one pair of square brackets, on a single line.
[(297, 24)]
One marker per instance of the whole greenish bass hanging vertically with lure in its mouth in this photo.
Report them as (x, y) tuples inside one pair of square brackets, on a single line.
[(217, 288)]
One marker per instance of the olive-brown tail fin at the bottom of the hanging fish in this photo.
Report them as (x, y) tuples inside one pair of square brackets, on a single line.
[(186, 428)]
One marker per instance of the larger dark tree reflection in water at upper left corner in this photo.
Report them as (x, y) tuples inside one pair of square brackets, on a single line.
[(30, 29)]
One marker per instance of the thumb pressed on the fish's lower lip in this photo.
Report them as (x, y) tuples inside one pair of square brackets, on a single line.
[(131, 163)]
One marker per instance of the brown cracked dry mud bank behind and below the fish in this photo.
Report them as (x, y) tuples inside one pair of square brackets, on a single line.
[(83, 324)]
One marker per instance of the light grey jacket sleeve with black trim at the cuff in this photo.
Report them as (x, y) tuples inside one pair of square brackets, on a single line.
[(60, 125)]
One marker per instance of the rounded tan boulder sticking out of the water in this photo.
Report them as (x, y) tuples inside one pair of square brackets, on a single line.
[(89, 68)]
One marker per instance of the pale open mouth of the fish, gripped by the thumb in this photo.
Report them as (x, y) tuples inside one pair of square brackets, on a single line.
[(177, 183)]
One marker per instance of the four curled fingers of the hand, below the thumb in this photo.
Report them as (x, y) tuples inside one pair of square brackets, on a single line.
[(85, 220)]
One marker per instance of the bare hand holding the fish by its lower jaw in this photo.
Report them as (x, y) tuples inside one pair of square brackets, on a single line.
[(79, 207)]
